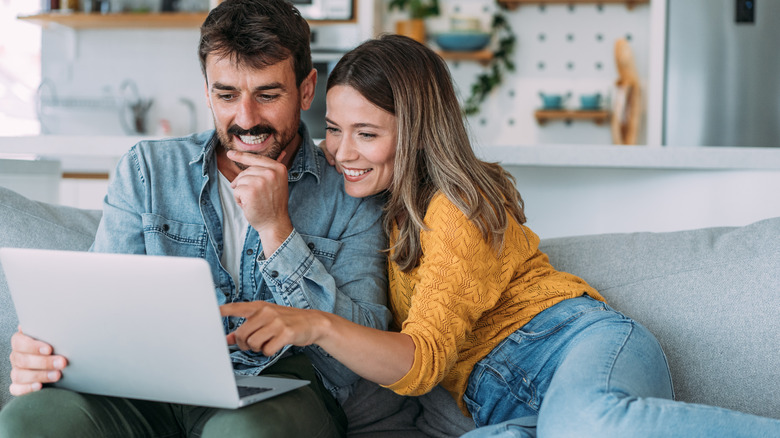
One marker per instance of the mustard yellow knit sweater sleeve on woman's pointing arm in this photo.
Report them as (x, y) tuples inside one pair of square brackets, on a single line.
[(459, 276)]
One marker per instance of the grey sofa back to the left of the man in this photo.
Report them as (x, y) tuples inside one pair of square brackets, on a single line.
[(30, 224)]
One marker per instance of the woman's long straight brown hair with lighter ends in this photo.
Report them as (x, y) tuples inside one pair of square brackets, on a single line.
[(433, 153)]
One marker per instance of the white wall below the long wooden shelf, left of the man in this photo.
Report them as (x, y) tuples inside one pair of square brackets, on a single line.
[(84, 69)]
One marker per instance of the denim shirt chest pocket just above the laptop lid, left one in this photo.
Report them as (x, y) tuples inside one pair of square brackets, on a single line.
[(169, 237)]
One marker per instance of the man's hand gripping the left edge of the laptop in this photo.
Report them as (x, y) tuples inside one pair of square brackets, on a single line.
[(33, 364)]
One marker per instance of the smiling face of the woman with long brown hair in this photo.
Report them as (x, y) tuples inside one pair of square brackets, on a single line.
[(362, 139)]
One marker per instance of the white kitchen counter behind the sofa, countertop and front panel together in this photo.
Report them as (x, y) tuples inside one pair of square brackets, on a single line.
[(567, 189)]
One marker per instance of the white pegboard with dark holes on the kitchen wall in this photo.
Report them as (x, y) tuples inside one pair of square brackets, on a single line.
[(561, 49)]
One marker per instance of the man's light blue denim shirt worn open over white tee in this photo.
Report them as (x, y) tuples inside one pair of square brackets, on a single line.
[(164, 200)]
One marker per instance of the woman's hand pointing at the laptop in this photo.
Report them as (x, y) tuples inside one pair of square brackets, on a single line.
[(269, 327)]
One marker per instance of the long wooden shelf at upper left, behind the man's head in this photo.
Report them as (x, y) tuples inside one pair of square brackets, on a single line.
[(130, 20)]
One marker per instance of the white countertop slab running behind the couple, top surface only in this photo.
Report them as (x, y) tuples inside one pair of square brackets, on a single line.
[(100, 153)]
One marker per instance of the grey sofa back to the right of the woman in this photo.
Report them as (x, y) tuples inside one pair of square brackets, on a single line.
[(711, 296)]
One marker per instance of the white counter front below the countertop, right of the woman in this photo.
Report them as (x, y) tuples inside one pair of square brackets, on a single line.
[(564, 201)]
